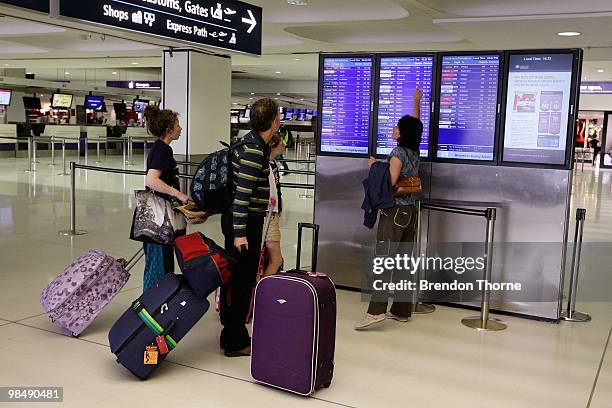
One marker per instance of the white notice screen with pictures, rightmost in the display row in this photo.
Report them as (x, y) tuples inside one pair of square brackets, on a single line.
[(537, 108)]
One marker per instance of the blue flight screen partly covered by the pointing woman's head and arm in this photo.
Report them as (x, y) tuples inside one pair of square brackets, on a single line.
[(399, 76)]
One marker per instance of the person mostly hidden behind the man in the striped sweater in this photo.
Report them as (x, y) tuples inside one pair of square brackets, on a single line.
[(273, 236)]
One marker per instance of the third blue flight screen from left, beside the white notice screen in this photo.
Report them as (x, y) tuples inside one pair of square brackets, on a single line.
[(468, 106)]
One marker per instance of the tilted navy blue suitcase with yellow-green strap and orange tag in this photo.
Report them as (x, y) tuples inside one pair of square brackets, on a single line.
[(167, 310)]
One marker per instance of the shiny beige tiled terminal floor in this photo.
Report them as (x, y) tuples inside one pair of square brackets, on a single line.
[(432, 361)]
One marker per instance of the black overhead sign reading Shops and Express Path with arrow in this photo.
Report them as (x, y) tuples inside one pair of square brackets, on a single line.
[(228, 24)]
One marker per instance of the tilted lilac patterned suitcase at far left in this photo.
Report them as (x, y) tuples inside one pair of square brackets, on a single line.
[(75, 298)]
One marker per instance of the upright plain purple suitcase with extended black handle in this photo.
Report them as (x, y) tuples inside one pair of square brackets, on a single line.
[(294, 328)]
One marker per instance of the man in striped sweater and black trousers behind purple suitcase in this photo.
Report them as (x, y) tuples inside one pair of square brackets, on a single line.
[(242, 224)]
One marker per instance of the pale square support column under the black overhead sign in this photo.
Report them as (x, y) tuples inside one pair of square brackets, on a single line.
[(198, 87)]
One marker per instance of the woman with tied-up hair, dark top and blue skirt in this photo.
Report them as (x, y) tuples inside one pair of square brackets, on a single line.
[(162, 177)]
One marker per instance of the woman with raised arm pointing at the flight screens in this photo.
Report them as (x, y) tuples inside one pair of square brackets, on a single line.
[(397, 224)]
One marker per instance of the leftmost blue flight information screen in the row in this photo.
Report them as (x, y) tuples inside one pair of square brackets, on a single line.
[(345, 105)]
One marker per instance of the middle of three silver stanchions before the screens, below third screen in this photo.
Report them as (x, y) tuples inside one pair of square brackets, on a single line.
[(484, 322)]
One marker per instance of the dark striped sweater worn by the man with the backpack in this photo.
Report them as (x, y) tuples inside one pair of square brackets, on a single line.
[(251, 183)]
